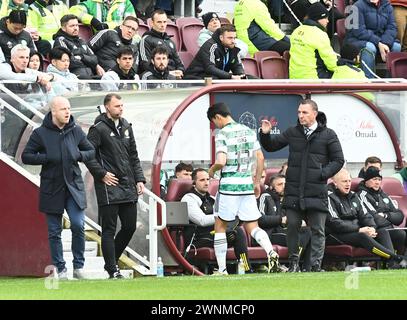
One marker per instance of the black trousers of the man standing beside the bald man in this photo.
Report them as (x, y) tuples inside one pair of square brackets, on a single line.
[(113, 247)]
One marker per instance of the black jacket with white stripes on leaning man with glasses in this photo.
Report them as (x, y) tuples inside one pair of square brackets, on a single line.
[(107, 43)]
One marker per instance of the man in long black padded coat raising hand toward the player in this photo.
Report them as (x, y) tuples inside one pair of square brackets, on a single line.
[(315, 155)]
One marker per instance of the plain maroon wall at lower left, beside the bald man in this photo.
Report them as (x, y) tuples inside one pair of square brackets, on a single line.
[(24, 249)]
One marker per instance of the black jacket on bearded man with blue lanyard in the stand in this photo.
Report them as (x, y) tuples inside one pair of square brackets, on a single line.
[(210, 61)]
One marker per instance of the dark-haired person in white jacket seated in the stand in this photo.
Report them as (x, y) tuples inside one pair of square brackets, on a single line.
[(65, 81)]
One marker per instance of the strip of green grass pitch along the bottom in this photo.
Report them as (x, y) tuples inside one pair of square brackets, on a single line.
[(386, 284)]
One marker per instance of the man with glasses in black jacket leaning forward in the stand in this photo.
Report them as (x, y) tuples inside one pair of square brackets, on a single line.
[(106, 44)]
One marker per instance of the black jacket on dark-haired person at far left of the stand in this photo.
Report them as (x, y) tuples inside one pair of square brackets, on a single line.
[(9, 40)]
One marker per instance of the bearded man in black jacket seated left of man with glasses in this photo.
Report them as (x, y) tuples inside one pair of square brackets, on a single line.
[(84, 63)]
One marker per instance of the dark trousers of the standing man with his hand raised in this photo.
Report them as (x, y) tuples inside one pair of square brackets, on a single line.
[(316, 222)]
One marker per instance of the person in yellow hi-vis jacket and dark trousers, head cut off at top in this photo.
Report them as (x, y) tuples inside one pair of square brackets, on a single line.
[(256, 28)]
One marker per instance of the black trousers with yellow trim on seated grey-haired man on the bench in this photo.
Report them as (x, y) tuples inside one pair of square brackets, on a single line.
[(362, 240)]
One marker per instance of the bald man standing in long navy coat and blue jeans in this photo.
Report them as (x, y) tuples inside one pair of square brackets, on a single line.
[(58, 145)]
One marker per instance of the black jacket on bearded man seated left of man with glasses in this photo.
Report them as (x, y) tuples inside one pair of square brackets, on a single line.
[(83, 60)]
